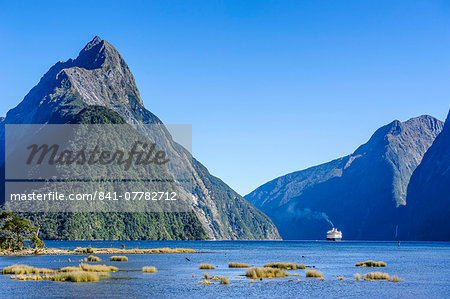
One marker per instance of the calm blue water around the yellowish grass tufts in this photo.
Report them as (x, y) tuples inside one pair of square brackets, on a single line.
[(425, 266)]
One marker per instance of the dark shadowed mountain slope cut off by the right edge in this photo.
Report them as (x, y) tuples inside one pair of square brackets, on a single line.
[(426, 214)]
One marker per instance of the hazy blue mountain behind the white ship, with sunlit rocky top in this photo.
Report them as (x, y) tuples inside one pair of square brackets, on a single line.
[(359, 193)]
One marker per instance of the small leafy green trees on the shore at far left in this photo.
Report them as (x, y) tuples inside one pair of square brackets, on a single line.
[(14, 230)]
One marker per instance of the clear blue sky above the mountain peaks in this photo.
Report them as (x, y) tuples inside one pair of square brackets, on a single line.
[(270, 87)]
